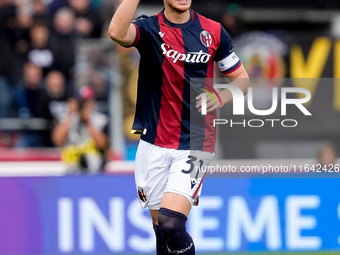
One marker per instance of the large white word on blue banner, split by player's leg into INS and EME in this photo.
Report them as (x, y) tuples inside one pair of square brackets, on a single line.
[(85, 219)]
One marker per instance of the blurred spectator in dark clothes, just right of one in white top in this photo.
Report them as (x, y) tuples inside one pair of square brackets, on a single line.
[(64, 37)]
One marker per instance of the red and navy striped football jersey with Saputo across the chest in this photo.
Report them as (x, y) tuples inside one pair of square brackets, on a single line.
[(171, 56)]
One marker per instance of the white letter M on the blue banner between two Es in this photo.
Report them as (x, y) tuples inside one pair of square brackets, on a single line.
[(265, 221)]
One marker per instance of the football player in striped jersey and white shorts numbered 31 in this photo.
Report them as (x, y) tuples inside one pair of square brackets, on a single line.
[(176, 45)]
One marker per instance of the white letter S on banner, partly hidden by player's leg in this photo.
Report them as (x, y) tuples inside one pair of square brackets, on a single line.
[(142, 222)]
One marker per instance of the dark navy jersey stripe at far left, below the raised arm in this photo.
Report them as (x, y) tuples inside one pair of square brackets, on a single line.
[(149, 91)]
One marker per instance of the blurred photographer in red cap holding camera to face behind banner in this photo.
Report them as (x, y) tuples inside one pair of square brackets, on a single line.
[(82, 134)]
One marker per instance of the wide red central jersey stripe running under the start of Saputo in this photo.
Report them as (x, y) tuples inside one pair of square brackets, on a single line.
[(172, 89)]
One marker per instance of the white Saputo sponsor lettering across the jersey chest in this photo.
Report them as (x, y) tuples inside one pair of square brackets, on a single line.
[(190, 57)]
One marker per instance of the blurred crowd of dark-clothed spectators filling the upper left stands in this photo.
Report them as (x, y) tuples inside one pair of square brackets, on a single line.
[(37, 59)]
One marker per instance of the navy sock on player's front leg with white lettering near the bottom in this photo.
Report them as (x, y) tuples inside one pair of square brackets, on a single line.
[(172, 226)]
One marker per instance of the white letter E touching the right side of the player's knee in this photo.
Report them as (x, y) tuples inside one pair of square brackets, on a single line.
[(200, 223)]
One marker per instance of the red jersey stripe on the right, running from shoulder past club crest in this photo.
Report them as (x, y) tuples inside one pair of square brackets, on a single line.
[(215, 31)]
